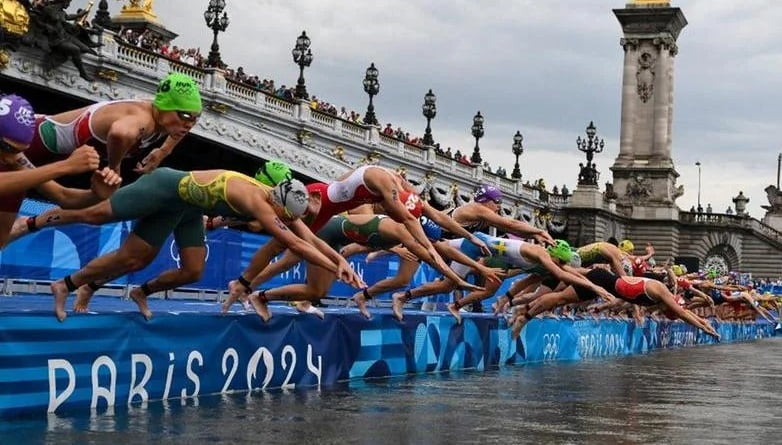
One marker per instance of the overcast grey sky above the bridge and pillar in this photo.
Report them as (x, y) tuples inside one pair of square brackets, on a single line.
[(546, 68)]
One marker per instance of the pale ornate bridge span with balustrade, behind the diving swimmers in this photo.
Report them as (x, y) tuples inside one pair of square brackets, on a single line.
[(318, 145)]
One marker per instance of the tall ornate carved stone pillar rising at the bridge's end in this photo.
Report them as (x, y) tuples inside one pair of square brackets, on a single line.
[(644, 175)]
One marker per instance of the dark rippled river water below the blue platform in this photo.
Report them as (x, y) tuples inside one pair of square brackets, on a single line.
[(710, 394)]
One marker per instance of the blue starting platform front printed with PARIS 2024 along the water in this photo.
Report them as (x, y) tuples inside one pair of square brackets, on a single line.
[(115, 357)]
